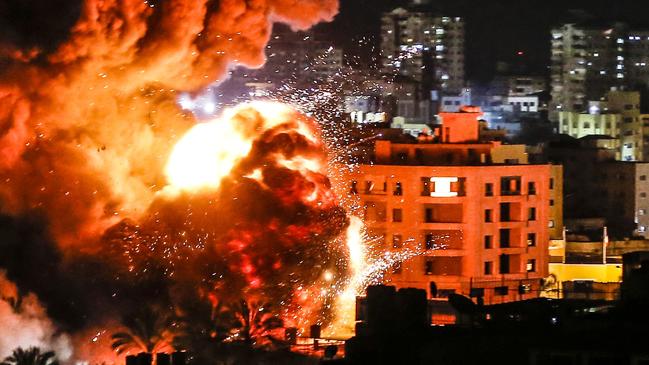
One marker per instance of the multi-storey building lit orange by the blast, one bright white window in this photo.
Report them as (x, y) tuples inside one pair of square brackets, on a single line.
[(478, 212)]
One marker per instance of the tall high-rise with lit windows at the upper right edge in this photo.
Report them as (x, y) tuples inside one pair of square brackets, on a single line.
[(589, 60)]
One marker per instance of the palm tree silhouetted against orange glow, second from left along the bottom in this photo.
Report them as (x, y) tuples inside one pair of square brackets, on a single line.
[(150, 330)]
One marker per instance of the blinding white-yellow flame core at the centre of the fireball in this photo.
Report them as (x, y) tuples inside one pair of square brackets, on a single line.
[(209, 151)]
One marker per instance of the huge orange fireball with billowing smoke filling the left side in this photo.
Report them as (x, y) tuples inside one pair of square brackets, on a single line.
[(121, 199)]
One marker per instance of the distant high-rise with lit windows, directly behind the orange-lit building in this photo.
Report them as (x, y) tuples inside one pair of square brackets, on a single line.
[(424, 47)]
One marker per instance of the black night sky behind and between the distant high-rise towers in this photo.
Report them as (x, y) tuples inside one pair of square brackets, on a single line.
[(496, 30)]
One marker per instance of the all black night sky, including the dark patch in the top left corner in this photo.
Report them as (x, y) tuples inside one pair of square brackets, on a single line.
[(496, 30)]
